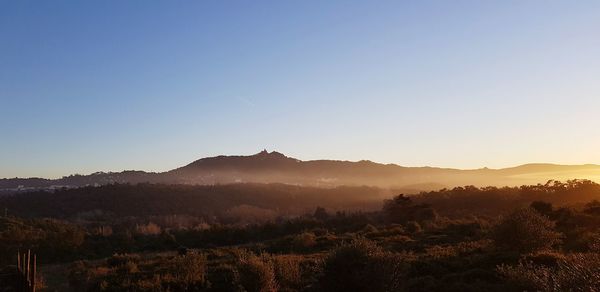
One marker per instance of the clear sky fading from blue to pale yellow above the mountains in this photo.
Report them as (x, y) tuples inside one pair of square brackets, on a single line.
[(91, 86)]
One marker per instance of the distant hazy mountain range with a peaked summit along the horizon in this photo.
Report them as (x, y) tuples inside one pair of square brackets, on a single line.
[(274, 167)]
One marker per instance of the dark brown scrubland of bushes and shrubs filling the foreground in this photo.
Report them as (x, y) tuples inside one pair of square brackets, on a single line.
[(530, 238)]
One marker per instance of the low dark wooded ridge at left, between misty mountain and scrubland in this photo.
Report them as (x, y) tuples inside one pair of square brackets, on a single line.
[(142, 200)]
